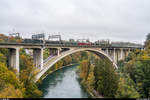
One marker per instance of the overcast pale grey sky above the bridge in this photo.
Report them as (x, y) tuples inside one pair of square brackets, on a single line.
[(116, 20)]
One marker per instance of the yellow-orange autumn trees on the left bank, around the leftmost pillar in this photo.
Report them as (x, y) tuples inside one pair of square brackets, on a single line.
[(10, 85)]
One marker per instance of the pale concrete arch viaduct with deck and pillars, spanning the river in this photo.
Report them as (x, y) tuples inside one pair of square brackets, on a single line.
[(58, 52)]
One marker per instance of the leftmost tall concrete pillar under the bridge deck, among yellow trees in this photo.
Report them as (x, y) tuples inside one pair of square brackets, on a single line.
[(14, 58)]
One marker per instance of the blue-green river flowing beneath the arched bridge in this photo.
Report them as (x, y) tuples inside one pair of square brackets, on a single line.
[(63, 83)]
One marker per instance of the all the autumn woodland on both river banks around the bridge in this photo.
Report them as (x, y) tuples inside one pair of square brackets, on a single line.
[(130, 80)]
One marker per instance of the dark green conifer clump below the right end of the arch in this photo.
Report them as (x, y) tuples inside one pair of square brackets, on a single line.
[(106, 79)]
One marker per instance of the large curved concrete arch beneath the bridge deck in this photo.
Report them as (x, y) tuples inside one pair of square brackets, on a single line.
[(54, 60)]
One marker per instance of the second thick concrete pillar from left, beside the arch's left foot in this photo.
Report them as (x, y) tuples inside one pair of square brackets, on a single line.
[(38, 57)]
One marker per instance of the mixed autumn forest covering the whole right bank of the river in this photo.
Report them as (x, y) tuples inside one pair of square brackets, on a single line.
[(130, 80)]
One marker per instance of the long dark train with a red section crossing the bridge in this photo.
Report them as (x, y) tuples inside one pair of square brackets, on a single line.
[(75, 43)]
